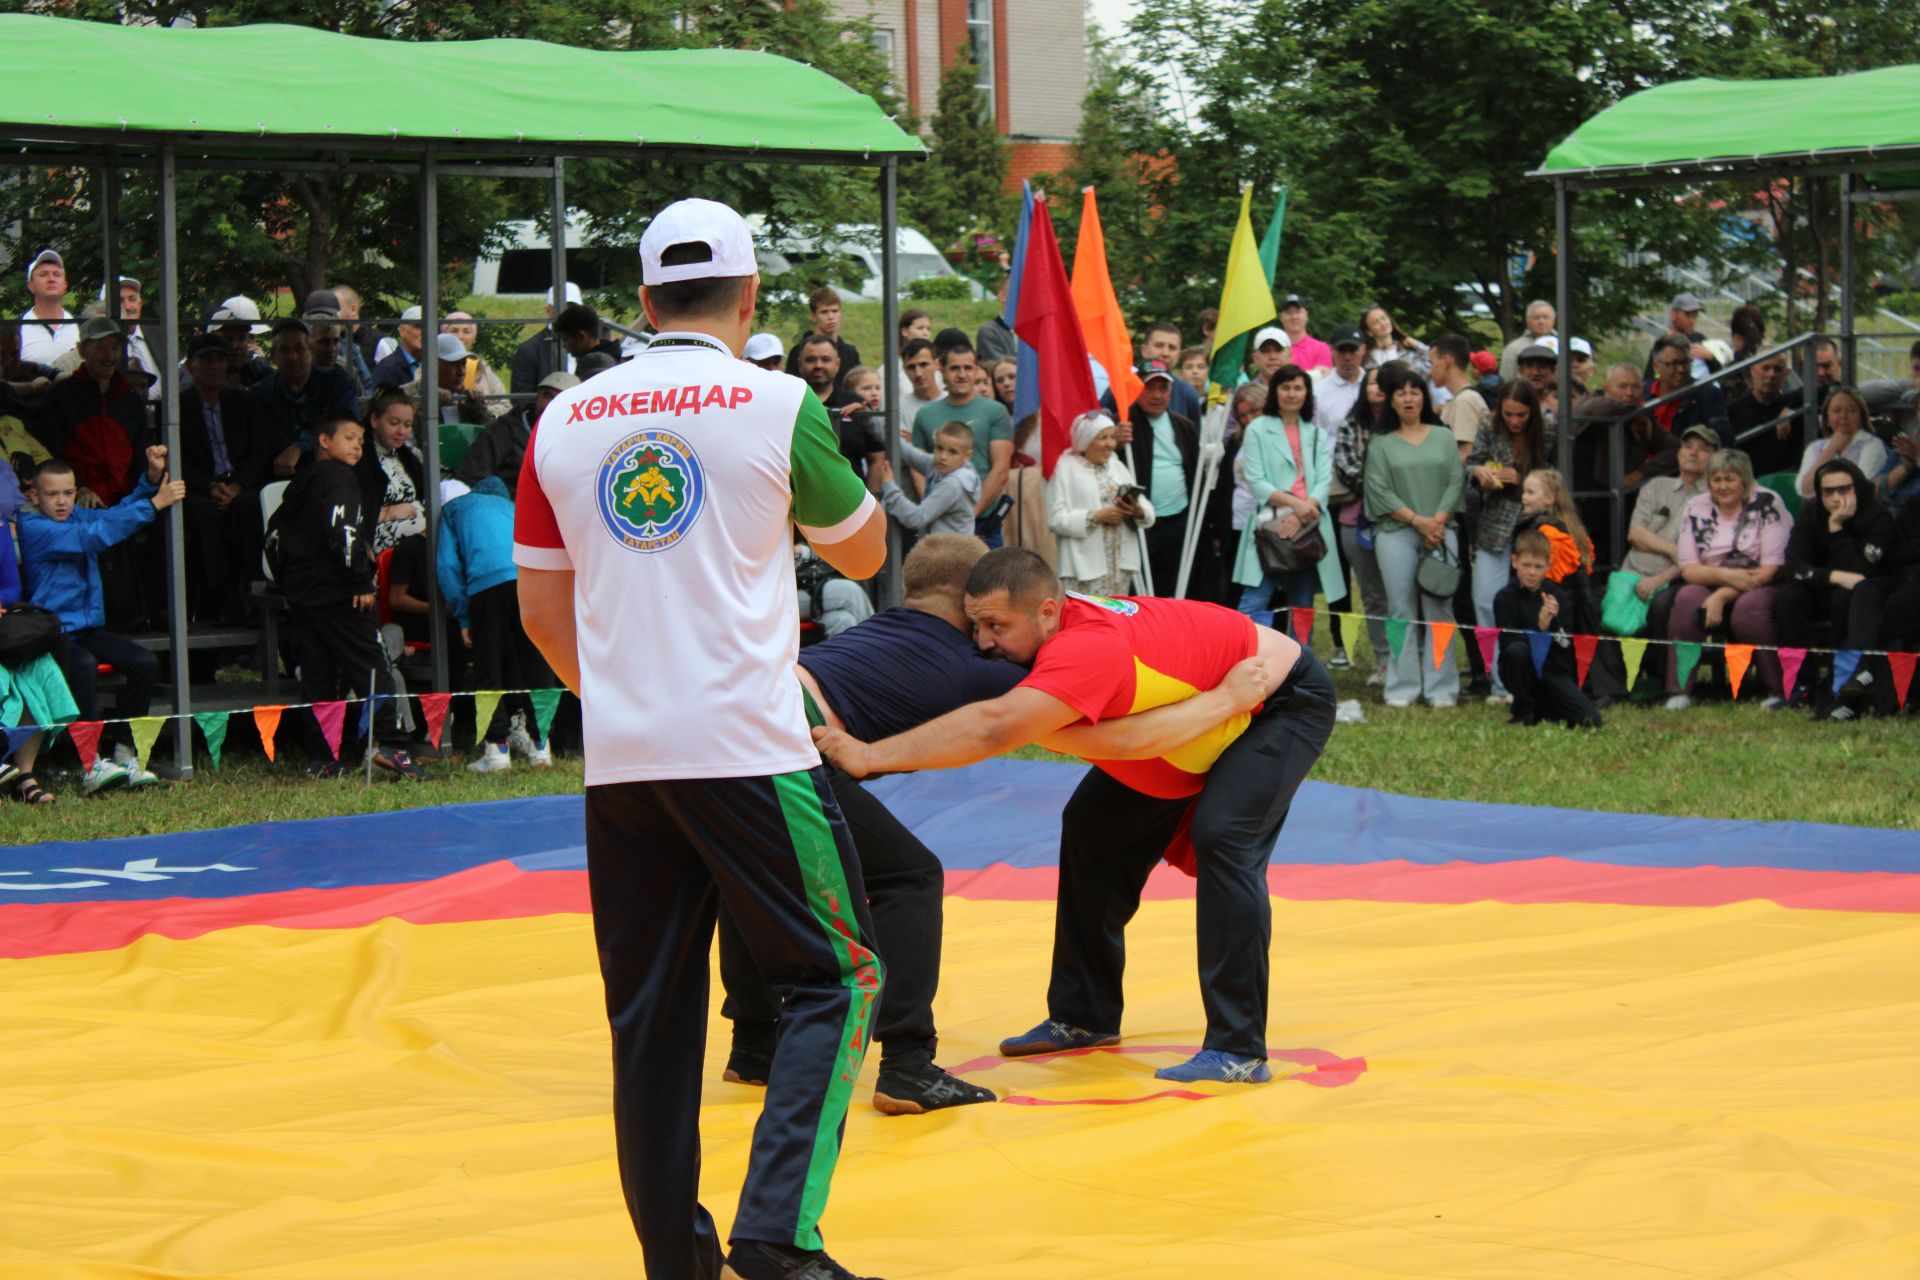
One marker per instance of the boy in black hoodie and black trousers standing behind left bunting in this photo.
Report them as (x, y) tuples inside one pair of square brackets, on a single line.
[(325, 567)]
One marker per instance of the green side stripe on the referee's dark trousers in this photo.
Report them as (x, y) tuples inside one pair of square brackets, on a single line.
[(859, 970)]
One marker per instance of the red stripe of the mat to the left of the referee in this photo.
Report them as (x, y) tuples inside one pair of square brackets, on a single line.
[(492, 891)]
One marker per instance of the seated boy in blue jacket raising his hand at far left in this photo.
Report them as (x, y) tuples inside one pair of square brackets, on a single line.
[(60, 550)]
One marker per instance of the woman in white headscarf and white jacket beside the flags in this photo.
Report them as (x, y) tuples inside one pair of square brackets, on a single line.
[(1095, 510)]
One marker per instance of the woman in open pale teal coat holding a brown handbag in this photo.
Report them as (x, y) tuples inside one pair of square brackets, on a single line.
[(1287, 465)]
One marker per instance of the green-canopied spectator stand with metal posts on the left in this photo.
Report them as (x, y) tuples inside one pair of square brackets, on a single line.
[(385, 107)]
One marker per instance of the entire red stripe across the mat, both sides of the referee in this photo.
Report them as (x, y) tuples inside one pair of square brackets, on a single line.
[(502, 891)]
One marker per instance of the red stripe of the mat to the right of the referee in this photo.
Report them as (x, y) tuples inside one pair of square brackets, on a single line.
[(1537, 880)]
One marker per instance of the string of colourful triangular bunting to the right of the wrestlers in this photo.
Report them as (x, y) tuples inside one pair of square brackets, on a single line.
[(1633, 652)]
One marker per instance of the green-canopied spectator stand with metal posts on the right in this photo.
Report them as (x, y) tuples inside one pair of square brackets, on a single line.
[(1861, 128)]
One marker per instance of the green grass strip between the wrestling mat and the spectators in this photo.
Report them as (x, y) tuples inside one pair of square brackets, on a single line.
[(1714, 761)]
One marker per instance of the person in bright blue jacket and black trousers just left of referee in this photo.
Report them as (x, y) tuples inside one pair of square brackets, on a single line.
[(477, 581)]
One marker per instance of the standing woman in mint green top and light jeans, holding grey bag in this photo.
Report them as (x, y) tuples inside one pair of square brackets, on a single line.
[(1414, 488)]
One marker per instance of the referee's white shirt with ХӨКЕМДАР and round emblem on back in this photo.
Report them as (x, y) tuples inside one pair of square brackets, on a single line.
[(671, 486)]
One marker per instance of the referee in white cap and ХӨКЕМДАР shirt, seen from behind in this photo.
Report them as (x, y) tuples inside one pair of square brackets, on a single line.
[(654, 538)]
